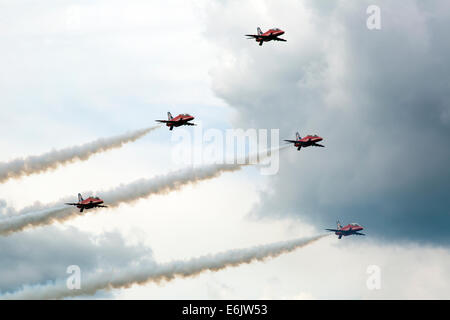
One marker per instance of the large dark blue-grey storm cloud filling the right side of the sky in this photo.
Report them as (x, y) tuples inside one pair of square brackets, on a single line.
[(380, 99)]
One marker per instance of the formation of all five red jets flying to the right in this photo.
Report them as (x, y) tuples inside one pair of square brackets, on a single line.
[(185, 120)]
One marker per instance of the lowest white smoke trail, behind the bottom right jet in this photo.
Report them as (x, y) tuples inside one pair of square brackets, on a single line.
[(160, 272)]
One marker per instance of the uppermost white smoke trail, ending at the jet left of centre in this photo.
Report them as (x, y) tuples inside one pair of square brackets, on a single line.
[(51, 160)]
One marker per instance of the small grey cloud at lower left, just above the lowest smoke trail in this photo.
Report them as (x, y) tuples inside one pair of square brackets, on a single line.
[(42, 256)]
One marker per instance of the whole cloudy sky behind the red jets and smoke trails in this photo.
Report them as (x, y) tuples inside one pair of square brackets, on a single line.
[(74, 71)]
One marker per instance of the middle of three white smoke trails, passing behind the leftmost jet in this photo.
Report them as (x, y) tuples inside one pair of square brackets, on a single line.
[(39, 215)]
